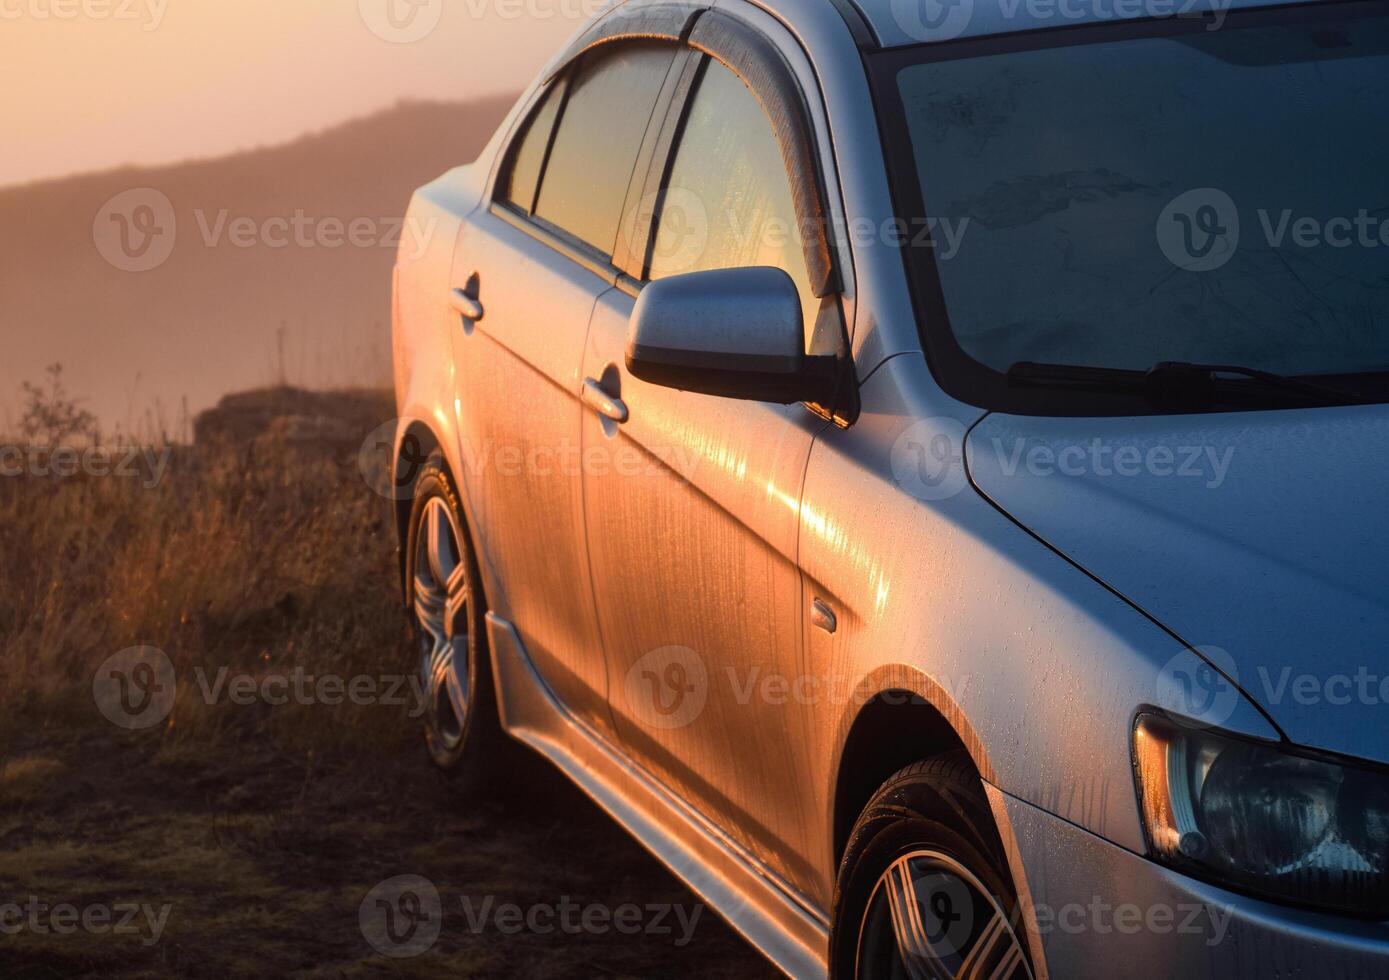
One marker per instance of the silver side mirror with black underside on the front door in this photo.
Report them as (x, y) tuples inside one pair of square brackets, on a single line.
[(735, 334)]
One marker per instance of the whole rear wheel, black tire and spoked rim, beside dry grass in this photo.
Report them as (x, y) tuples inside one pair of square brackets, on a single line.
[(448, 609)]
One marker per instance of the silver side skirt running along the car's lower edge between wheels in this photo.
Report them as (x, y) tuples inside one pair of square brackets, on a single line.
[(744, 893)]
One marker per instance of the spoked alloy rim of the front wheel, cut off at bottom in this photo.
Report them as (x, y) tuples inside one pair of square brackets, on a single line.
[(929, 918)]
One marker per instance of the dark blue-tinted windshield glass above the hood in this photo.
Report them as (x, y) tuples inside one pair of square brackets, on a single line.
[(1154, 194)]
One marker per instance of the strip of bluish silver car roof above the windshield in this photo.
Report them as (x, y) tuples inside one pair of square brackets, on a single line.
[(901, 23)]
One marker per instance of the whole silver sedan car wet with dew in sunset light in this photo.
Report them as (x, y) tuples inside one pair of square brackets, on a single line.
[(919, 466)]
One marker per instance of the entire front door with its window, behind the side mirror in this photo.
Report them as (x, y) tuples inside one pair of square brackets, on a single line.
[(692, 502)]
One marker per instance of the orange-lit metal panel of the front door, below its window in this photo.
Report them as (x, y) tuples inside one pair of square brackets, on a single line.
[(692, 527)]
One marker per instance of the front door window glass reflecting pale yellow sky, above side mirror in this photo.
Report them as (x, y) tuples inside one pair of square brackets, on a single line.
[(729, 201)]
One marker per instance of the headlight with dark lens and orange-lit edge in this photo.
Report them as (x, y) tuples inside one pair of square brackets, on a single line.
[(1262, 820)]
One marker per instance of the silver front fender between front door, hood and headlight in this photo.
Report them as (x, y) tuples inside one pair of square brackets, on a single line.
[(1048, 666)]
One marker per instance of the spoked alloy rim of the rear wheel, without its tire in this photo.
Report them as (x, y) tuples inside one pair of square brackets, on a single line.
[(442, 599)]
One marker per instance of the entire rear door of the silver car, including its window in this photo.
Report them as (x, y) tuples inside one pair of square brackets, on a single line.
[(529, 269)]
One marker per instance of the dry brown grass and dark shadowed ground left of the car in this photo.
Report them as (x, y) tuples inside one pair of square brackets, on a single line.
[(262, 828)]
